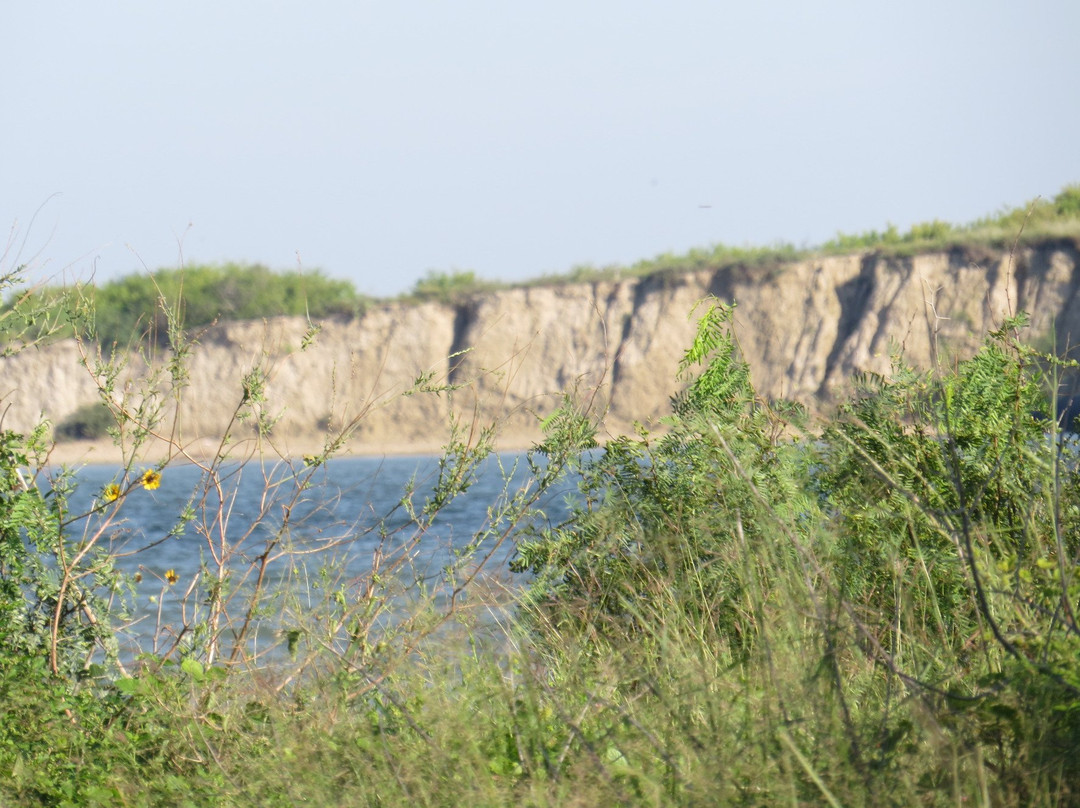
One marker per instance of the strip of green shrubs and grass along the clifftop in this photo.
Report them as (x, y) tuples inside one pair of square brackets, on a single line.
[(139, 308)]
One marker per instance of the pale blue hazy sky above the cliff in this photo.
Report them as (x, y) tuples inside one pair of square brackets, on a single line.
[(380, 141)]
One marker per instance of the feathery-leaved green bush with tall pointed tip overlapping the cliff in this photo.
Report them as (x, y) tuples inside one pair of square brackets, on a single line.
[(672, 514)]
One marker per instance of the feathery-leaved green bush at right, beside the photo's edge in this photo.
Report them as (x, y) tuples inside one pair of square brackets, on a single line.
[(928, 476)]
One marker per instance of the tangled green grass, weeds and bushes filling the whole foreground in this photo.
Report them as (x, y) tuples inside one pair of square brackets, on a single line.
[(748, 609)]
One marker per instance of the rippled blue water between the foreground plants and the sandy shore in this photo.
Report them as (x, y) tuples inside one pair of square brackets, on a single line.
[(341, 514)]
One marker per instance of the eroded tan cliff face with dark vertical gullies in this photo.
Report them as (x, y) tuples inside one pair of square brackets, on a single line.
[(804, 328)]
